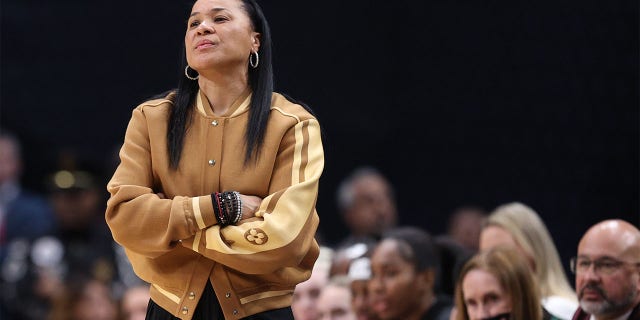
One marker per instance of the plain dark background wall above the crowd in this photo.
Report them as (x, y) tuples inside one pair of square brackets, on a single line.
[(458, 102)]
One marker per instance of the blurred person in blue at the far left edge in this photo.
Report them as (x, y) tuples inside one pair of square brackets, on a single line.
[(23, 218)]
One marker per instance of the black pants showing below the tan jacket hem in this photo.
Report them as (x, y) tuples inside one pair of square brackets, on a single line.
[(208, 308)]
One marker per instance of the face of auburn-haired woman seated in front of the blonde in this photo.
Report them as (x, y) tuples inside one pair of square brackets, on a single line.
[(483, 295)]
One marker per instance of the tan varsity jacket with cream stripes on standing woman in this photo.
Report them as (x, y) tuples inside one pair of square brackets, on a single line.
[(175, 244)]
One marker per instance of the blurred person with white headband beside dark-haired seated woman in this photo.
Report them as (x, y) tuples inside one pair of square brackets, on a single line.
[(359, 275)]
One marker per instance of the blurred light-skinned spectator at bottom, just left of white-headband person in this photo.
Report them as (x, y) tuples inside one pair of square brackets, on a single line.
[(334, 302)]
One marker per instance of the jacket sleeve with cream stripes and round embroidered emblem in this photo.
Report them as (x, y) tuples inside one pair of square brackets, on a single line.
[(283, 231)]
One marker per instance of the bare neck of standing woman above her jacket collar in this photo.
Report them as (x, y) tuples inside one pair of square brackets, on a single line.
[(222, 89)]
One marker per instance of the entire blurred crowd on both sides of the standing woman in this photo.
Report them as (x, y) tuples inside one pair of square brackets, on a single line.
[(501, 265)]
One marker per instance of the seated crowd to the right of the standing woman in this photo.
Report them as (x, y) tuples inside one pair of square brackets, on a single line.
[(503, 265)]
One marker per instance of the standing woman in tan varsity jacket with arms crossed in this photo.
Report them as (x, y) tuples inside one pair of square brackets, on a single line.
[(214, 198)]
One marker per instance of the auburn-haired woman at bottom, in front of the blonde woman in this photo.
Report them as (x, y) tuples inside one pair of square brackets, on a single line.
[(497, 284)]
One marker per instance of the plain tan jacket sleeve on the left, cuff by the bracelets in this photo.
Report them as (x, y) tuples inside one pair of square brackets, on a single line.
[(138, 218)]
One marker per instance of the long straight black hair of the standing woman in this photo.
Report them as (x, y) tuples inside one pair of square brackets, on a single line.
[(260, 82)]
